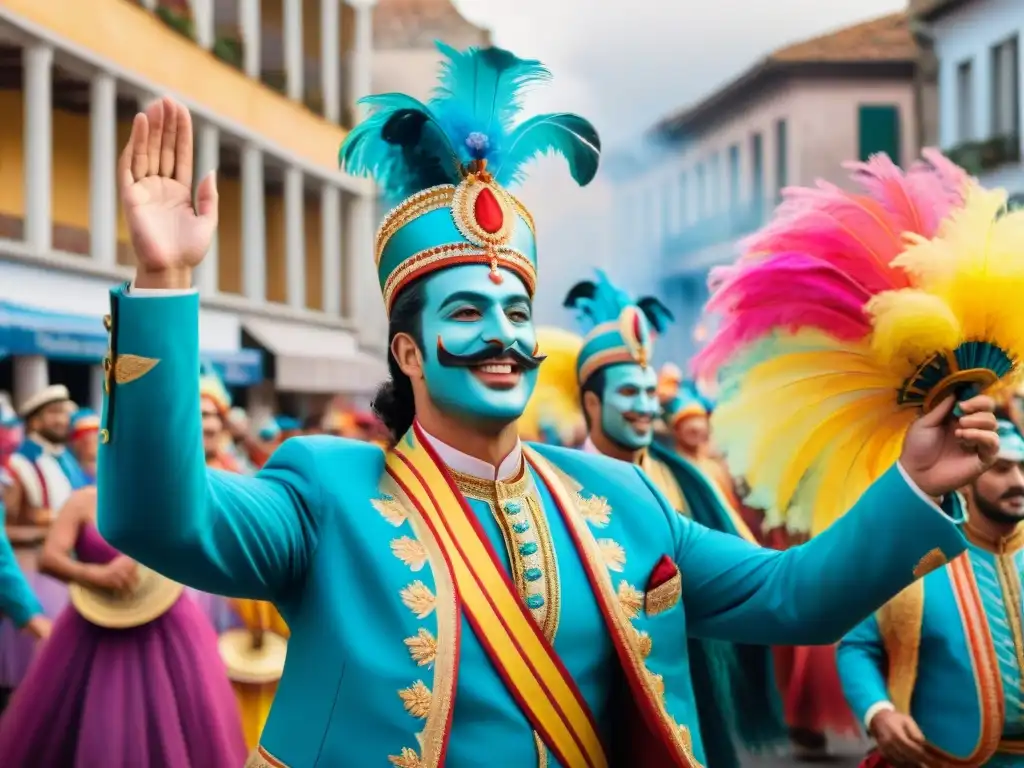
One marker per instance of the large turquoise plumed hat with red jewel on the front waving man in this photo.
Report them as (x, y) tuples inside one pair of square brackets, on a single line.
[(445, 166)]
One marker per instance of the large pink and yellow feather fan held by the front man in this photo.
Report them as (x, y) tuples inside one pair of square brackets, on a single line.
[(851, 314)]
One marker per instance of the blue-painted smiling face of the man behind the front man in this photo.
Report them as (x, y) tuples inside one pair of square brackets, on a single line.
[(630, 406)]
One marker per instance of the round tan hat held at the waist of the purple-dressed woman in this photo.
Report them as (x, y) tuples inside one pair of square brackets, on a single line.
[(152, 598)]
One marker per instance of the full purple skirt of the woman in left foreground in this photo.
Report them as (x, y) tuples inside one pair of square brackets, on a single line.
[(154, 696)]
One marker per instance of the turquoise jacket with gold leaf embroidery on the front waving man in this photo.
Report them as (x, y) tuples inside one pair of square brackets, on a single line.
[(372, 662)]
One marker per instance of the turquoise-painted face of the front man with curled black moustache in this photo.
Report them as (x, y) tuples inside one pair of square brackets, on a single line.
[(467, 314)]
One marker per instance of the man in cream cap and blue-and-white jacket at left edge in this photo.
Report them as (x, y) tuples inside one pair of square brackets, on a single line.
[(41, 477)]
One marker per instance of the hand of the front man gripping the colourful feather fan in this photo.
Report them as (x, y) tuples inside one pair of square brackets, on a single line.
[(944, 454)]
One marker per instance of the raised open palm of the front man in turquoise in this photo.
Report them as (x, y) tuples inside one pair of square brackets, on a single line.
[(155, 174)]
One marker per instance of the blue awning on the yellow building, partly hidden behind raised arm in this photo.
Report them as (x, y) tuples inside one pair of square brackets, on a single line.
[(82, 338)]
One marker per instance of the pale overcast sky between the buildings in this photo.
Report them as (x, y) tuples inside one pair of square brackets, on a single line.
[(624, 65)]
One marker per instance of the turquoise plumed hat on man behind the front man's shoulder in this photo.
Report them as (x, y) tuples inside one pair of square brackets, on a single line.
[(618, 329)]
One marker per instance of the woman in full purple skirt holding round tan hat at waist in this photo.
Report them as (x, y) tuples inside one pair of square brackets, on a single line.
[(131, 675)]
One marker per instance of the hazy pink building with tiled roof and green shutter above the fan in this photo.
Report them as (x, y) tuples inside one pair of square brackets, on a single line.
[(713, 174)]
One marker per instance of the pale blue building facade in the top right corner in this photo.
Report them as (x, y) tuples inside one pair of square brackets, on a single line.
[(977, 50)]
